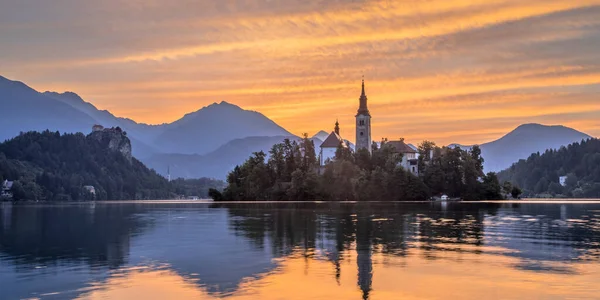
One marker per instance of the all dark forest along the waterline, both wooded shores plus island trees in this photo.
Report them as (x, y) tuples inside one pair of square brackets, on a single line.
[(50, 166)]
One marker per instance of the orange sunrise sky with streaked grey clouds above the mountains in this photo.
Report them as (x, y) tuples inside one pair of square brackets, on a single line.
[(451, 71)]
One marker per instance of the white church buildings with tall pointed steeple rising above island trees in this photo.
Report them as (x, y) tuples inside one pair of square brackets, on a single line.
[(364, 139)]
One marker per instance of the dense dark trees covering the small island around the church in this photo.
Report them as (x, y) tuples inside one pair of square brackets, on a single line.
[(291, 172)]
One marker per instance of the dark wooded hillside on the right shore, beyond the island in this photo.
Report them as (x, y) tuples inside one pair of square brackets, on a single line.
[(539, 175)]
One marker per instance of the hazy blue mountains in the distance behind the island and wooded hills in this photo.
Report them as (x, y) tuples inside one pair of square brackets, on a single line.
[(211, 141)]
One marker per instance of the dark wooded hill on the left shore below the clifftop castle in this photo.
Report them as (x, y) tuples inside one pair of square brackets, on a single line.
[(51, 166)]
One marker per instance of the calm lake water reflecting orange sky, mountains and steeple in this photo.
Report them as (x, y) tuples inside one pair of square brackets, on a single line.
[(495, 250)]
